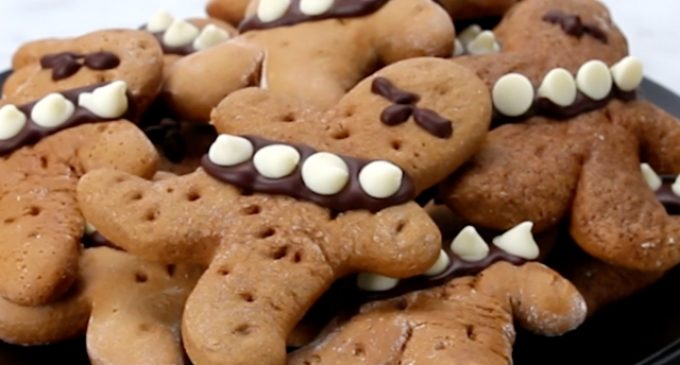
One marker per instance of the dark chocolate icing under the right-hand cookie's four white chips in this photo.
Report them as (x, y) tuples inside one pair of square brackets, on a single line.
[(583, 104)]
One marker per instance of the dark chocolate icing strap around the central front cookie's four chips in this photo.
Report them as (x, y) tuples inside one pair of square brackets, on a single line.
[(352, 197)]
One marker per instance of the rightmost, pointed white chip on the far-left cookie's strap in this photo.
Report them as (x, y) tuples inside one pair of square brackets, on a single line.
[(108, 101)]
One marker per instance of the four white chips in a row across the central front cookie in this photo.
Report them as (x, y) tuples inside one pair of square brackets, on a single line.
[(323, 173)]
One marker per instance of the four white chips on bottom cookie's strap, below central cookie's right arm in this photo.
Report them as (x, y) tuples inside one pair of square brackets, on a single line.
[(468, 246)]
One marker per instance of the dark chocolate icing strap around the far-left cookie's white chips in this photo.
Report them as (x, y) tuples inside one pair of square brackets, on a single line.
[(32, 132)]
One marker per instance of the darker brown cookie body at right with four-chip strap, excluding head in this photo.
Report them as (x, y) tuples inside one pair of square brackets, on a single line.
[(576, 150)]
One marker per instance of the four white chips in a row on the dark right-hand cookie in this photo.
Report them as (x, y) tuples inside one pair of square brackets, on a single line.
[(513, 94)]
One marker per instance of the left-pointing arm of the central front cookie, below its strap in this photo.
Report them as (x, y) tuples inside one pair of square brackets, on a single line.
[(158, 221)]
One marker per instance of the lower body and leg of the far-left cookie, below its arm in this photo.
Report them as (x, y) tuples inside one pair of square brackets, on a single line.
[(40, 240)]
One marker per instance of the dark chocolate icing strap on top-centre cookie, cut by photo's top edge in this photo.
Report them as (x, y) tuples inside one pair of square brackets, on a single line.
[(293, 15)]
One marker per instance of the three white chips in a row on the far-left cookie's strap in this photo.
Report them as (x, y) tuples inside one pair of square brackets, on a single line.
[(107, 102)]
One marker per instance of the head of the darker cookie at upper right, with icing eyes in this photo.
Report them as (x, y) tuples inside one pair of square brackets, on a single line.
[(540, 35)]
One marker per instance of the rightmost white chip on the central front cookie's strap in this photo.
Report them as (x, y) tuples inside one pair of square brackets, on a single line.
[(380, 179)]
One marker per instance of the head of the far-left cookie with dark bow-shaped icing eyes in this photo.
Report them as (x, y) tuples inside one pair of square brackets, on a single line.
[(53, 65)]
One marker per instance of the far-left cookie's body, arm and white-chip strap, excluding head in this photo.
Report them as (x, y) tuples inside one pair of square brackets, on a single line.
[(45, 147)]
